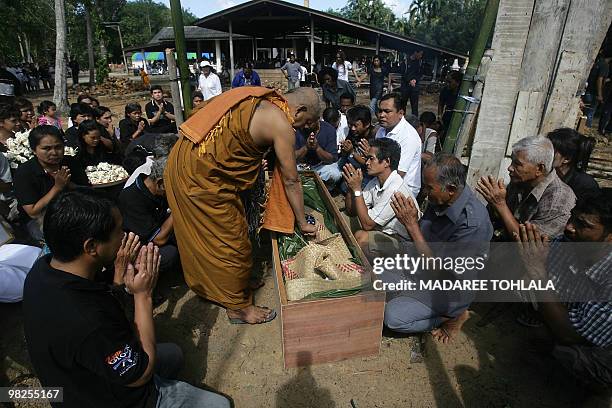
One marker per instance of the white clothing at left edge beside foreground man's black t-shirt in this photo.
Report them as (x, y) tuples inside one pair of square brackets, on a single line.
[(15, 263)]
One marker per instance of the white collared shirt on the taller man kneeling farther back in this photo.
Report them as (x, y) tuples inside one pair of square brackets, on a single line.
[(410, 160)]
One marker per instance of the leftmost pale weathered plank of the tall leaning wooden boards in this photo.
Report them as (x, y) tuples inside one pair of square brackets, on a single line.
[(501, 89)]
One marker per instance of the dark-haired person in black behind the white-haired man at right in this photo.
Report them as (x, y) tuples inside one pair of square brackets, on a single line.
[(572, 153)]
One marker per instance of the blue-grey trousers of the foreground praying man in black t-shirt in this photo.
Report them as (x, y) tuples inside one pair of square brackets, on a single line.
[(179, 394)]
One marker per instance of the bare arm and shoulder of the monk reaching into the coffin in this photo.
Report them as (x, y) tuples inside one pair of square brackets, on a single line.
[(269, 125)]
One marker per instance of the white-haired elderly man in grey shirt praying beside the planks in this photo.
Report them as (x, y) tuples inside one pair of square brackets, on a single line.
[(535, 193)]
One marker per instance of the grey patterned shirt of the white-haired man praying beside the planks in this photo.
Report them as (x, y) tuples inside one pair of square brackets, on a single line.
[(547, 205)]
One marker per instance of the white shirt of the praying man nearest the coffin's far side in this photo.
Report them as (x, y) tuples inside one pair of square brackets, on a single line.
[(378, 200)]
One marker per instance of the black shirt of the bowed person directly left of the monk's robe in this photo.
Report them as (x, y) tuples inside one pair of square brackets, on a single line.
[(143, 213)]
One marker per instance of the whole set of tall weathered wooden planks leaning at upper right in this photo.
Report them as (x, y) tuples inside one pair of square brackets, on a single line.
[(543, 52)]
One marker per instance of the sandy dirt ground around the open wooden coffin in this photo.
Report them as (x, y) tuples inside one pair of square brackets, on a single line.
[(490, 364)]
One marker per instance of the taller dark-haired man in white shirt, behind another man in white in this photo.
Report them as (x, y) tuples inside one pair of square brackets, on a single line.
[(394, 126)]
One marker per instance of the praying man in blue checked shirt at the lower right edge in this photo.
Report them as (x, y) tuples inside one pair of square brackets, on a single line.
[(577, 314)]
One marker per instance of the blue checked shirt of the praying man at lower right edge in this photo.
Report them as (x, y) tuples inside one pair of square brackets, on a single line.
[(591, 319)]
